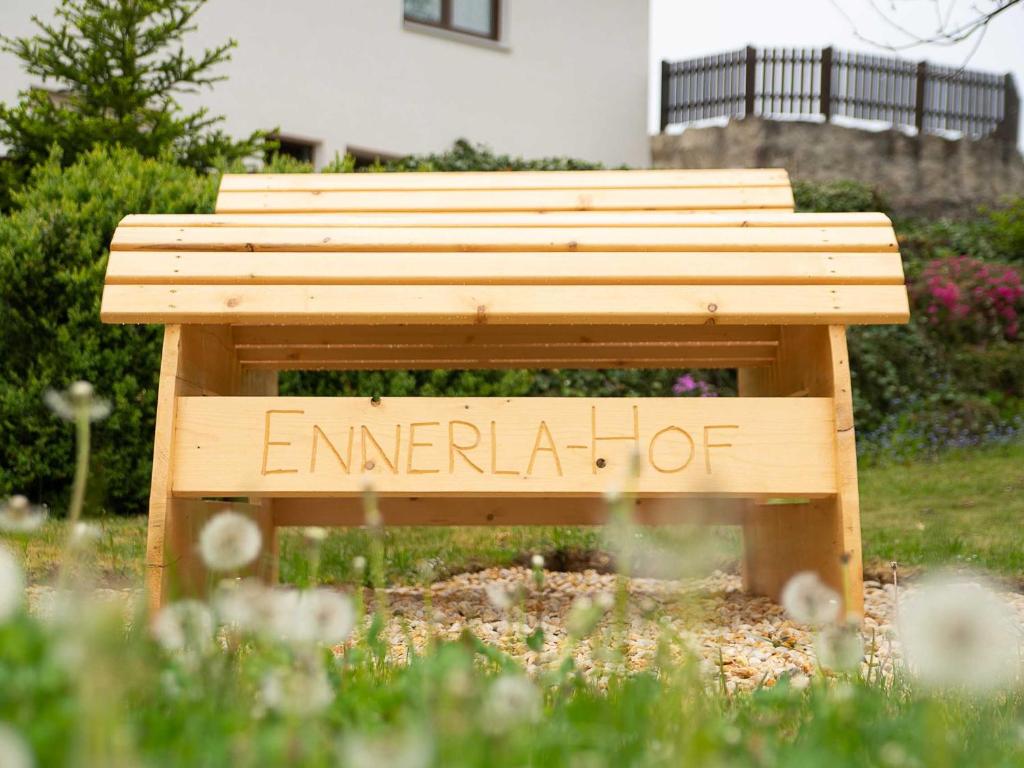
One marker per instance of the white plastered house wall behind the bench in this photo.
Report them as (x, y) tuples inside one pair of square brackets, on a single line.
[(569, 78)]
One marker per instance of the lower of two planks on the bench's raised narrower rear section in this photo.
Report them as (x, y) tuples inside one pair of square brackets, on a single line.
[(700, 199)]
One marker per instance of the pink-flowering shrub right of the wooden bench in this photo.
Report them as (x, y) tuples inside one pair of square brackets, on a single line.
[(970, 301)]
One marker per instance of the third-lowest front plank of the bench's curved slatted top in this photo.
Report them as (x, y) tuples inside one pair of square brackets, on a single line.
[(713, 239)]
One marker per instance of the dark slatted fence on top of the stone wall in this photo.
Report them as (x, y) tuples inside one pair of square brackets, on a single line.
[(795, 82)]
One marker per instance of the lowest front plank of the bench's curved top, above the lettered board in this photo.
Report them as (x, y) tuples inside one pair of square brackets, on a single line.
[(505, 305)]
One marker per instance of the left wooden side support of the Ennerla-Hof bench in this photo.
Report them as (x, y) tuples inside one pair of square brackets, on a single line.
[(197, 361)]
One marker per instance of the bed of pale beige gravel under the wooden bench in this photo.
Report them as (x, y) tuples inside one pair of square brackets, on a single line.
[(744, 642)]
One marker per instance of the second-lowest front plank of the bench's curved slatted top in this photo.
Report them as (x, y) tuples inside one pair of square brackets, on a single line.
[(169, 268)]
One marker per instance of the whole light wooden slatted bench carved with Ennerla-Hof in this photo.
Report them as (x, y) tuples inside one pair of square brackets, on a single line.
[(474, 271)]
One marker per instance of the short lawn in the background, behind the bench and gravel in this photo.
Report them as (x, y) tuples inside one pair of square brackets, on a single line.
[(963, 509)]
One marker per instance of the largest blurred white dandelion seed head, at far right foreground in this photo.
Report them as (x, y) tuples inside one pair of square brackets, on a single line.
[(960, 634)]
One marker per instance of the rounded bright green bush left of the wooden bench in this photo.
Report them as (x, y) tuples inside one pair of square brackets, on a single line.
[(53, 260)]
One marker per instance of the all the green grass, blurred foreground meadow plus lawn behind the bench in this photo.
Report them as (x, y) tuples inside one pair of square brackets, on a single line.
[(82, 691)]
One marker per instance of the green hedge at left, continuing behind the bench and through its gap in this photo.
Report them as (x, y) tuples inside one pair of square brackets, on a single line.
[(54, 249)]
